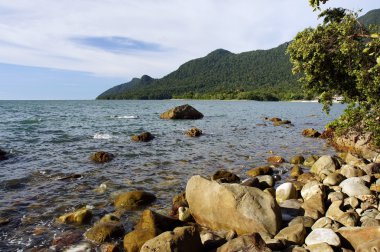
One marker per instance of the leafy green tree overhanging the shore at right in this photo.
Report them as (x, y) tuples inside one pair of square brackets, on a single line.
[(342, 57)]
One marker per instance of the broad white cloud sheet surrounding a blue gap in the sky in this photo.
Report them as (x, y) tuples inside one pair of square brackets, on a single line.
[(40, 32)]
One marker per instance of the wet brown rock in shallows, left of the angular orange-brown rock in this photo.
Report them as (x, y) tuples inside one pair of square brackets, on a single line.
[(105, 231)]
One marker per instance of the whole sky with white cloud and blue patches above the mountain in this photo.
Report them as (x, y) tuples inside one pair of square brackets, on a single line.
[(76, 49)]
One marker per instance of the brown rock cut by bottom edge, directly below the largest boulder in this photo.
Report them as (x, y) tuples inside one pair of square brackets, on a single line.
[(251, 243)]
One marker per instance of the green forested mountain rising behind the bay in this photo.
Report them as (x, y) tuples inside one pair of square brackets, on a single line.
[(257, 75)]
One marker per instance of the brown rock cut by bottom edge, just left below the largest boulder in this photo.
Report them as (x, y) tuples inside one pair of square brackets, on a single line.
[(184, 239)]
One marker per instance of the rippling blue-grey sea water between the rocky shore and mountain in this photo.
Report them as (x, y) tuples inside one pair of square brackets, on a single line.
[(50, 141)]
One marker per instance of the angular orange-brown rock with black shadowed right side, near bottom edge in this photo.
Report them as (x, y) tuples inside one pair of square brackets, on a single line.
[(149, 226)]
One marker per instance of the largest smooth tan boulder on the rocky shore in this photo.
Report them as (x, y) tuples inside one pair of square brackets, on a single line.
[(231, 206)]
